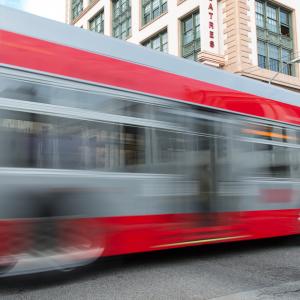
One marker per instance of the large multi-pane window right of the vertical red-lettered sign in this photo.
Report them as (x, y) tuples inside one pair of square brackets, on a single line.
[(275, 45)]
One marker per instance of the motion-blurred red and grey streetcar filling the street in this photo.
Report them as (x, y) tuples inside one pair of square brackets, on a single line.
[(109, 148)]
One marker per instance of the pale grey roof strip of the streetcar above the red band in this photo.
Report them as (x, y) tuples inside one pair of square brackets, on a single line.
[(16, 21)]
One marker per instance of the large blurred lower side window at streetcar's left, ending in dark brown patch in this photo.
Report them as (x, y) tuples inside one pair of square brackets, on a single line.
[(30, 140)]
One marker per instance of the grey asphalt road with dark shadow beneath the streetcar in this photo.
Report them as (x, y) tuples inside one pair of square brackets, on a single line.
[(268, 269)]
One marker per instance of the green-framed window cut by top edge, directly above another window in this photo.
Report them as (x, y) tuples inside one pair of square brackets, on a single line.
[(152, 9)]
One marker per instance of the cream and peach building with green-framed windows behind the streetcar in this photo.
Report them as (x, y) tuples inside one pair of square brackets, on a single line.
[(255, 38)]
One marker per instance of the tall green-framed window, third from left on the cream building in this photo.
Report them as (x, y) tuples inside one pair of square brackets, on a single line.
[(121, 19)]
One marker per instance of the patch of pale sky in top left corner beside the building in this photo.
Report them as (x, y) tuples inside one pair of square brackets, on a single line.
[(52, 9)]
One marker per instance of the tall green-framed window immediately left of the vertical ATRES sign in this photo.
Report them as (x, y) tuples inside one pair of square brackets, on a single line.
[(190, 28)]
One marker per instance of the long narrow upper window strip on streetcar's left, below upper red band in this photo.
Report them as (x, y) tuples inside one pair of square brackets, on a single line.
[(101, 102)]
